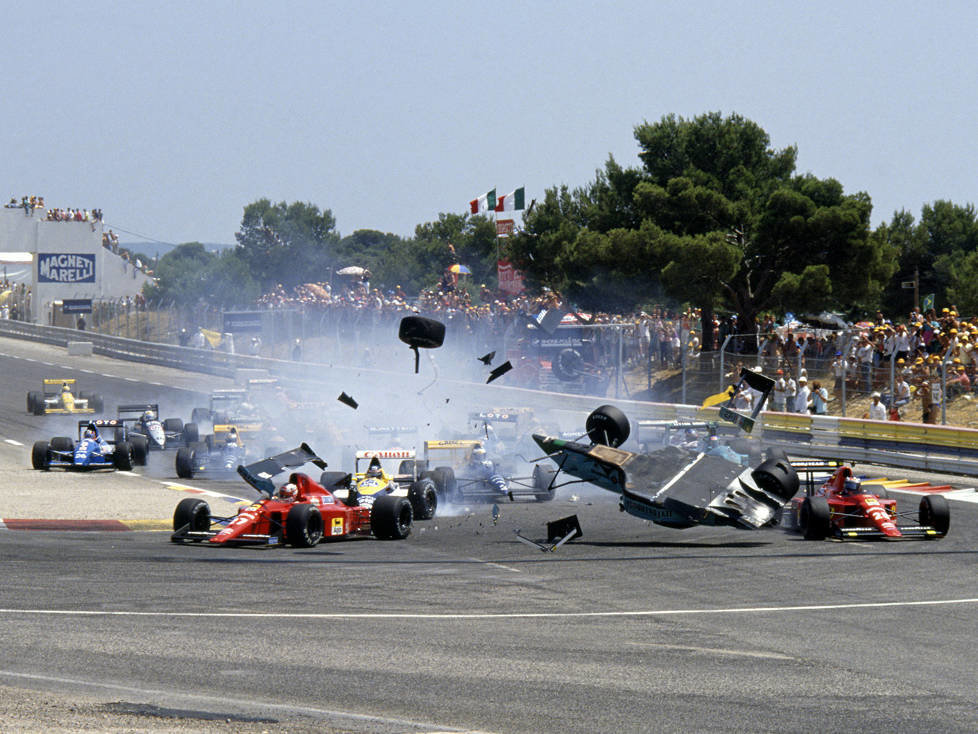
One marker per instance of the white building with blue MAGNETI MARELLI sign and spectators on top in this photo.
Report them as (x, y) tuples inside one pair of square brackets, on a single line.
[(62, 260)]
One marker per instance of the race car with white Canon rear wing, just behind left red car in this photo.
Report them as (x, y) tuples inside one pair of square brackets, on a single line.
[(370, 481)]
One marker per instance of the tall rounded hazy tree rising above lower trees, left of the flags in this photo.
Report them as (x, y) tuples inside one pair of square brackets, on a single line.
[(287, 243)]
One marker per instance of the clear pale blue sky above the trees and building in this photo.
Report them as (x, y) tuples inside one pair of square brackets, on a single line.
[(172, 117)]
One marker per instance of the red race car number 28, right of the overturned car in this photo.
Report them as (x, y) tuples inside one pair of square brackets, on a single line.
[(846, 508)]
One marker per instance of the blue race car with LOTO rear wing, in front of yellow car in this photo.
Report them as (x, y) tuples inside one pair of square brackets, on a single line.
[(91, 451)]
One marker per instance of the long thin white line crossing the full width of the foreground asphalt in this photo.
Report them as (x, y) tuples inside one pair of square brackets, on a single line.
[(488, 615)]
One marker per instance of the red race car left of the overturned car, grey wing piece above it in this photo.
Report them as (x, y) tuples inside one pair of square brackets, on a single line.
[(300, 513)]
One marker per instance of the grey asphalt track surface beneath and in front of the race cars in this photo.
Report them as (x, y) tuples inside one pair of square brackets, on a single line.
[(462, 627)]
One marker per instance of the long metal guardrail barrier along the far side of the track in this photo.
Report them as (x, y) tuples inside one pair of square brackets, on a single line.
[(945, 449)]
